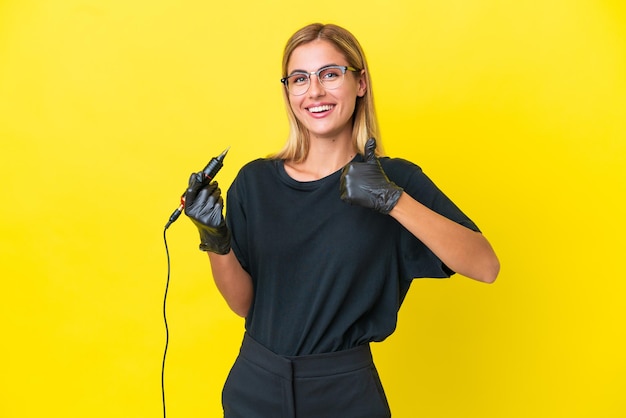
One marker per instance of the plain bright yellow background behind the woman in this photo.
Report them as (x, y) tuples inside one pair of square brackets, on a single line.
[(516, 110)]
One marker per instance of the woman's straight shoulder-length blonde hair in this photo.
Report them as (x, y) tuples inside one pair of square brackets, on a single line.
[(364, 121)]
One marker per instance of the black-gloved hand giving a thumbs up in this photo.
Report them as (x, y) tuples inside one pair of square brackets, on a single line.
[(366, 184)]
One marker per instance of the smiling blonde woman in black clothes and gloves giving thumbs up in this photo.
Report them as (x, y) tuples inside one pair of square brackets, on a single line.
[(322, 240)]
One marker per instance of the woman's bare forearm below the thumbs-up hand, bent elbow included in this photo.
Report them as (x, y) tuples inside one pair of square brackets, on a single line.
[(464, 251)]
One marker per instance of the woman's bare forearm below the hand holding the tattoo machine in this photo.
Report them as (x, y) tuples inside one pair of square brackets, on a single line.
[(233, 282)]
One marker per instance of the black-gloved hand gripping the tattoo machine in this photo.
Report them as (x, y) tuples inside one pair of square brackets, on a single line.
[(203, 205)]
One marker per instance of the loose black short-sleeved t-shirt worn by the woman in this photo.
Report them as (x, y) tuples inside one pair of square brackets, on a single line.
[(327, 276)]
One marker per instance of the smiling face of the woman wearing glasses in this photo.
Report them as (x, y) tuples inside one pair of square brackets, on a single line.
[(325, 113)]
